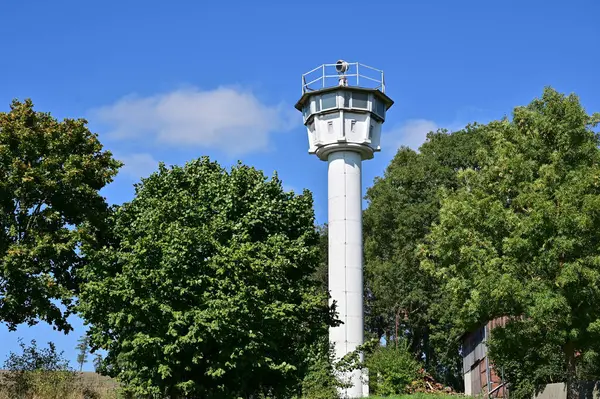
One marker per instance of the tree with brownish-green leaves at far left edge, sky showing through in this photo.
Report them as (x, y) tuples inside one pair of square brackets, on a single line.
[(51, 173)]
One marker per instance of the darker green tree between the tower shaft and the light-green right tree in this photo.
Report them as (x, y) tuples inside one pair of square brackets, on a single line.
[(403, 300)]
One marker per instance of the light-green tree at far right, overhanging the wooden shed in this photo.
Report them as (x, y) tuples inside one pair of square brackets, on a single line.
[(520, 238)]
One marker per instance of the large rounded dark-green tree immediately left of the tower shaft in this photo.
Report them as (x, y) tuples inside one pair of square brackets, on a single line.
[(208, 289)]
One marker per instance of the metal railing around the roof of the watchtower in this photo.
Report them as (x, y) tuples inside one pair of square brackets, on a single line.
[(357, 74)]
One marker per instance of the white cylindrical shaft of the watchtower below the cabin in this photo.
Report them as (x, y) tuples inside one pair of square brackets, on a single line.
[(345, 258)]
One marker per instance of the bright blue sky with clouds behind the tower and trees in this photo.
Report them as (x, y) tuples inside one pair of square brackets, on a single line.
[(173, 80)]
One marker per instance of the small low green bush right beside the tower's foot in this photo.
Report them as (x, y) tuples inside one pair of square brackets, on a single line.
[(391, 370)]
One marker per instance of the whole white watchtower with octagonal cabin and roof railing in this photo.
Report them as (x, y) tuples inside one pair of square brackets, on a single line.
[(344, 122)]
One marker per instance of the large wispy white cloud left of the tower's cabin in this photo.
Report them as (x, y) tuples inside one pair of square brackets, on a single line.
[(229, 119)]
